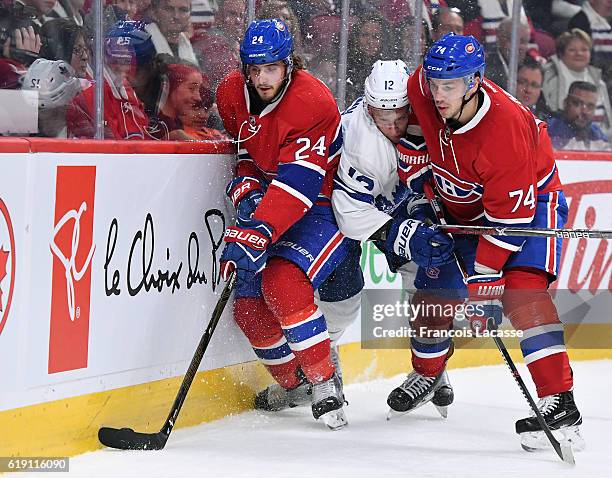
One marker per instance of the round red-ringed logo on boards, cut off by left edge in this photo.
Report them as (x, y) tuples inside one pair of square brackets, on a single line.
[(7, 263)]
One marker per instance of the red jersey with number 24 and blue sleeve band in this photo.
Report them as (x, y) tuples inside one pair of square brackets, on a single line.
[(289, 144)]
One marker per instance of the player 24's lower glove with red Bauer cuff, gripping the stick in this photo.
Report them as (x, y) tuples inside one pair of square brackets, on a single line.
[(245, 248)]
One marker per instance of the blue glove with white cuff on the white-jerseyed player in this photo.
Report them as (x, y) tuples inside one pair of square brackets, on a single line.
[(425, 245)]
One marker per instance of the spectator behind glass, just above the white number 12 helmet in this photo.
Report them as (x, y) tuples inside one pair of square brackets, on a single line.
[(368, 42)]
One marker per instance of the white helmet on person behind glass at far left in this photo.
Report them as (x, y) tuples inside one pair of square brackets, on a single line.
[(55, 82)]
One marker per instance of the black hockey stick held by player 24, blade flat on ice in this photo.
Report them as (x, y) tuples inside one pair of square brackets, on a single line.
[(128, 439)]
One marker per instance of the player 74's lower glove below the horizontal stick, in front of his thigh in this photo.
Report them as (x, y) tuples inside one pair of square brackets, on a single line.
[(484, 294)]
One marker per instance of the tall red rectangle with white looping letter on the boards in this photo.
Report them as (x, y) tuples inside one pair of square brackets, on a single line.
[(72, 247)]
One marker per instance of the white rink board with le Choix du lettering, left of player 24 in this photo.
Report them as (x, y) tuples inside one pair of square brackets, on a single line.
[(132, 337)]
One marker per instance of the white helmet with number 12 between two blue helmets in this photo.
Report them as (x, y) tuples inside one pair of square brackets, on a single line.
[(387, 85)]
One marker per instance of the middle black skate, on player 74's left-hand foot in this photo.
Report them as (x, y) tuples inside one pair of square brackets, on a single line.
[(417, 390)]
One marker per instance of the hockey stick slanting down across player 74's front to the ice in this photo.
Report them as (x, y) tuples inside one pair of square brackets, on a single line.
[(564, 451)]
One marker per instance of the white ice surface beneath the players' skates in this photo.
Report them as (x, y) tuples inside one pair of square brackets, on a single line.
[(476, 440)]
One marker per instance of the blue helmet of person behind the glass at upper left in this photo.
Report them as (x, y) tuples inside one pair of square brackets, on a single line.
[(128, 43)]
